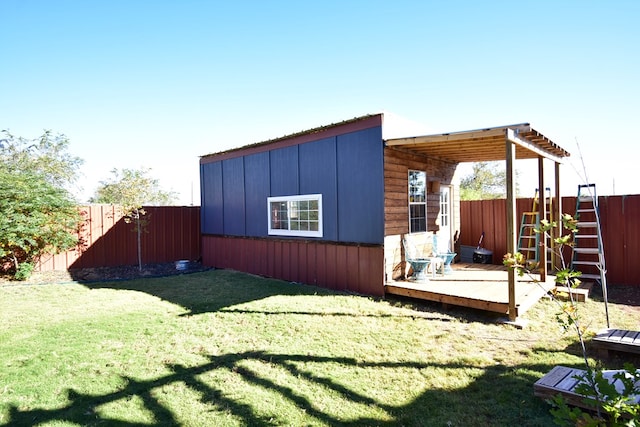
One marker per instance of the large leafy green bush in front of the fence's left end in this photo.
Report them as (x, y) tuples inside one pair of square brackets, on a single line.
[(37, 212)]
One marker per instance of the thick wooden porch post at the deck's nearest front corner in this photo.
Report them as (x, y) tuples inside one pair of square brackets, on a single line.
[(511, 219)]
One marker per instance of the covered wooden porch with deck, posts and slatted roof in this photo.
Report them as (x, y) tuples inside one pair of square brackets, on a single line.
[(491, 288)]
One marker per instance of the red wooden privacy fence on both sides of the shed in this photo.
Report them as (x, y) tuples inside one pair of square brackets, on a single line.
[(173, 234)]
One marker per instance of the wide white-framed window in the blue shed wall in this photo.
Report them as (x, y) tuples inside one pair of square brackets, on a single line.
[(295, 215)]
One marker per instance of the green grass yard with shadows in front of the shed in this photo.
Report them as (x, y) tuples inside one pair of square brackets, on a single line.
[(222, 348)]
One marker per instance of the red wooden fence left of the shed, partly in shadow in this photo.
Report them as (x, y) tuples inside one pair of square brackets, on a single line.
[(172, 233)]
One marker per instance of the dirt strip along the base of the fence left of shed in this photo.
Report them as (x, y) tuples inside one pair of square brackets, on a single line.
[(103, 274)]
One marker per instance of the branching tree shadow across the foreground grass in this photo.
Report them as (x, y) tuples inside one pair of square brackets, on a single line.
[(499, 396)]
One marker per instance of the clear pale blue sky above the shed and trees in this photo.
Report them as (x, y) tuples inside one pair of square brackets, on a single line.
[(157, 83)]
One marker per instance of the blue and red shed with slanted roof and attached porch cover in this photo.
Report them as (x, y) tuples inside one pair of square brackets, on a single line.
[(330, 206)]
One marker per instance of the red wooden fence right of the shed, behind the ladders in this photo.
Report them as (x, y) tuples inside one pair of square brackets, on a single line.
[(619, 219)]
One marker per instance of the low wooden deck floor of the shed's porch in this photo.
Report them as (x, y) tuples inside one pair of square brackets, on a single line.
[(478, 286)]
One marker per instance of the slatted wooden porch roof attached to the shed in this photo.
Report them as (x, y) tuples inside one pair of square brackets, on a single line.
[(484, 144)]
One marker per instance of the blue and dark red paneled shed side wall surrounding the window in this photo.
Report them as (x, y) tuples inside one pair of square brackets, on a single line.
[(344, 163)]
